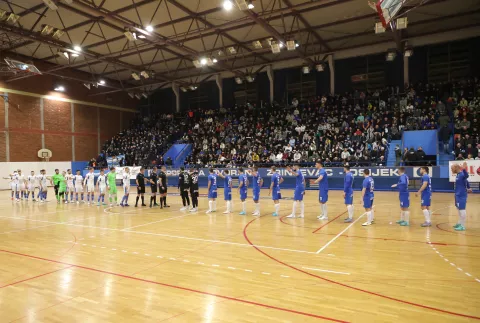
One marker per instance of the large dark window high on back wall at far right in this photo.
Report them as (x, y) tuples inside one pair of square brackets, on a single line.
[(448, 62)]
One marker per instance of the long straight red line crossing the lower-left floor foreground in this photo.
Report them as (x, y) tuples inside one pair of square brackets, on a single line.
[(231, 298)]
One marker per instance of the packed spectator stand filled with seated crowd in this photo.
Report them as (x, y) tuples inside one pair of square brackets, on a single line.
[(353, 128)]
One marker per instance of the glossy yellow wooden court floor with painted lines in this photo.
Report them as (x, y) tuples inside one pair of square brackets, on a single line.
[(78, 263)]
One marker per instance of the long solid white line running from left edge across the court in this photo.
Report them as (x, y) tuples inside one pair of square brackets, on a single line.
[(167, 235)]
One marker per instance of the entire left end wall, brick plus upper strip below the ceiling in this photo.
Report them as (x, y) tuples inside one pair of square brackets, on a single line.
[(73, 124)]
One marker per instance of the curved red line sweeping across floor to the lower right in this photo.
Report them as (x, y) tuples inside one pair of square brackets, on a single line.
[(349, 286)]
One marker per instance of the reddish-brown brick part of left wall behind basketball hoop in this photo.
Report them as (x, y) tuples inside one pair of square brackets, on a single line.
[(70, 137)]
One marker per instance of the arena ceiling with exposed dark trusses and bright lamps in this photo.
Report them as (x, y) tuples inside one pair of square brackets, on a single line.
[(189, 30)]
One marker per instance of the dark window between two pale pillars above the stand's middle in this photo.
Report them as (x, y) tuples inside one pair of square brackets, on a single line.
[(301, 86)]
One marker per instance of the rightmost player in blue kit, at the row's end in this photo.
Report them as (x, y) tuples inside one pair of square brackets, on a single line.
[(462, 188)]
